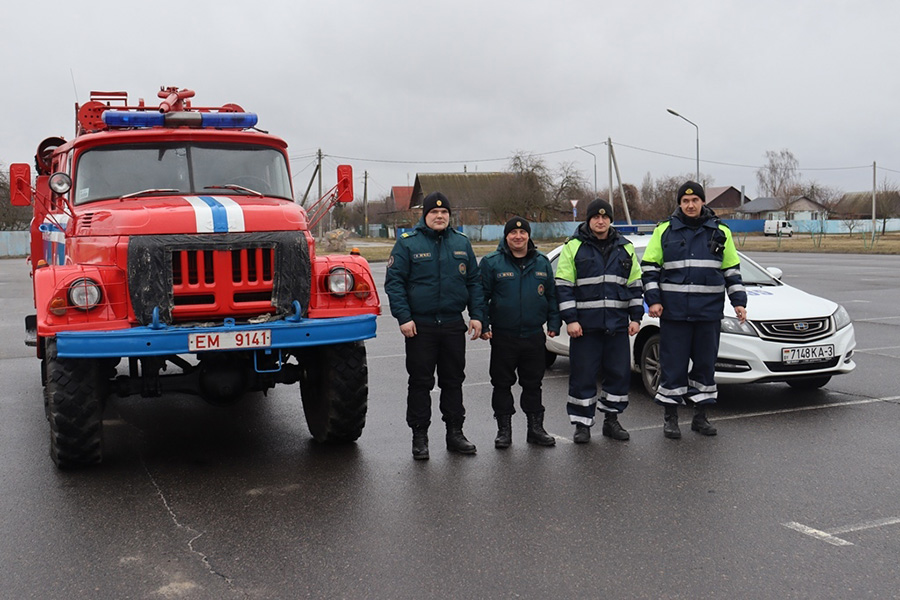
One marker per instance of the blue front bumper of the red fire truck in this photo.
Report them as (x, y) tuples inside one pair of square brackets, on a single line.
[(162, 340)]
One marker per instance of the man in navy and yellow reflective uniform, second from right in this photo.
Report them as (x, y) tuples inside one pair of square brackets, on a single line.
[(598, 281)]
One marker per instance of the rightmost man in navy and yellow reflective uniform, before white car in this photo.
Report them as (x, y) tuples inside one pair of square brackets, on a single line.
[(689, 266)]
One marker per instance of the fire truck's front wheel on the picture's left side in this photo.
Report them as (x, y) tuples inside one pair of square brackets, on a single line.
[(74, 405)]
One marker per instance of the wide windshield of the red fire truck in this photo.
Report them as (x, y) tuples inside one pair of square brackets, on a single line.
[(180, 168)]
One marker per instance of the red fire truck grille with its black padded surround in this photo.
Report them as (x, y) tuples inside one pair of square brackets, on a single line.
[(190, 278)]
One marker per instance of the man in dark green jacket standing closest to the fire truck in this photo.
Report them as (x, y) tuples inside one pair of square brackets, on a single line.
[(432, 277)]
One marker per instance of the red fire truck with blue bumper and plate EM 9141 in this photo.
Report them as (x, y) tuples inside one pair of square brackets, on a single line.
[(169, 237)]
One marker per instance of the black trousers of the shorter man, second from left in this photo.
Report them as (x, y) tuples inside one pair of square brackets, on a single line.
[(511, 355)]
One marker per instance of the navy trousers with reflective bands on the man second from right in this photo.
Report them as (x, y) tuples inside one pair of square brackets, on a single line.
[(598, 353)]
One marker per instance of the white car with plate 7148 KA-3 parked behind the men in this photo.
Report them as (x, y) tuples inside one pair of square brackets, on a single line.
[(790, 336)]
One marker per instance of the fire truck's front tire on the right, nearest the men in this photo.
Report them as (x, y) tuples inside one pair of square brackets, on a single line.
[(334, 386)]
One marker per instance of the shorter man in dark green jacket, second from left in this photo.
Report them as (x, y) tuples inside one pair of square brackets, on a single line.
[(521, 296)]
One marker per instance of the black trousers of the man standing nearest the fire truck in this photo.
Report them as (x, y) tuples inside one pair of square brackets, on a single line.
[(441, 347)]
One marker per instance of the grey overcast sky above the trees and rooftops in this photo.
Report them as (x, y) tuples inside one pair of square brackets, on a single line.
[(400, 87)]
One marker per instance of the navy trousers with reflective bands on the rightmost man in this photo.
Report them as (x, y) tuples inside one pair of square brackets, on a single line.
[(679, 343)]
